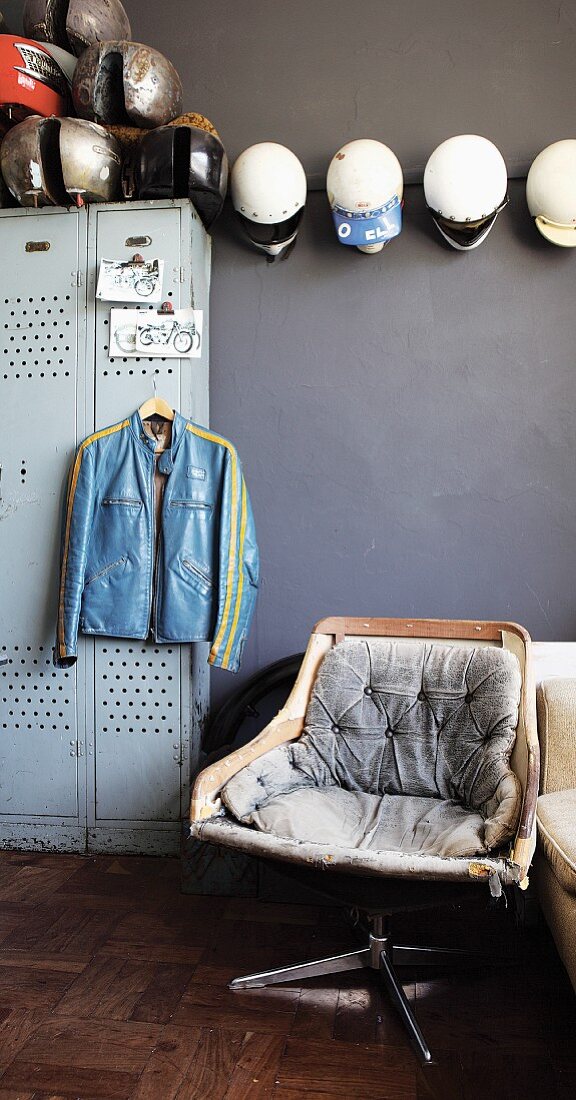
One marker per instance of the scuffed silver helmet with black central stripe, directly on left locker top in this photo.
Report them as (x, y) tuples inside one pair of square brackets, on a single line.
[(61, 162)]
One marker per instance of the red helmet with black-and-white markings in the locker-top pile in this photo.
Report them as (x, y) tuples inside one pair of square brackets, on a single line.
[(31, 80)]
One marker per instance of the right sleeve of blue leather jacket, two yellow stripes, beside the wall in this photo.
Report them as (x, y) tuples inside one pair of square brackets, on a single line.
[(239, 569)]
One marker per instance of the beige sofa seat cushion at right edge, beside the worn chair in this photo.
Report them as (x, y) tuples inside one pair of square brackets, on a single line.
[(557, 834)]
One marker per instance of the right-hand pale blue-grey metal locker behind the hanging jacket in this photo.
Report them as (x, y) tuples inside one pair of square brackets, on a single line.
[(149, 701)]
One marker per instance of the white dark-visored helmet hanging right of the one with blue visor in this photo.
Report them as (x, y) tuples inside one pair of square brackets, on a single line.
[(466, 188)]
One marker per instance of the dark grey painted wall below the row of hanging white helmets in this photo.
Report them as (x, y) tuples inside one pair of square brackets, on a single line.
[(406, 423)]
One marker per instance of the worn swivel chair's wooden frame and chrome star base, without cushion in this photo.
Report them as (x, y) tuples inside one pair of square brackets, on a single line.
[(381, 883)]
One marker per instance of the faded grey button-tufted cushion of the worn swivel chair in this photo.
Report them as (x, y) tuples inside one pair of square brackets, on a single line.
[(417, 735)]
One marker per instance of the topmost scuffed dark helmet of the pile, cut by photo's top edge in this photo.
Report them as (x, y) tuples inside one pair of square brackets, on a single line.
[(75, 25)]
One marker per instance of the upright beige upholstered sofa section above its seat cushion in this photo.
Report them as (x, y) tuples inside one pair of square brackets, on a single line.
[(557, 728)]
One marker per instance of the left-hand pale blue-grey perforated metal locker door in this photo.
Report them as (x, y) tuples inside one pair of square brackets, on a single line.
[(42, 338)]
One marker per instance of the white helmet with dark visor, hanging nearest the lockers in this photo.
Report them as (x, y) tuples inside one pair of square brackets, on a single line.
[(269, 196)]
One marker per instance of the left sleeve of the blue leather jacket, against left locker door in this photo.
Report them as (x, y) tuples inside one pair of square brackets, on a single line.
[(77, 522)]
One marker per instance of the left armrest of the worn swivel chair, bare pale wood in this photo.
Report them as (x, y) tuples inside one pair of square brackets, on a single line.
[(206, 801)]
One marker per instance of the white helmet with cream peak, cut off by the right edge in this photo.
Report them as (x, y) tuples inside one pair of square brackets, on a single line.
[(551, 193)]
